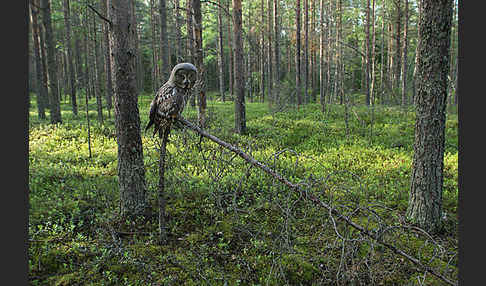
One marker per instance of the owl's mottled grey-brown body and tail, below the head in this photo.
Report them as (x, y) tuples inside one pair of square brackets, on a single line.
[(169, 102)]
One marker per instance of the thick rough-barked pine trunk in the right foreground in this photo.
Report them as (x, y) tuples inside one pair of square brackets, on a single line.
[(425, 201)]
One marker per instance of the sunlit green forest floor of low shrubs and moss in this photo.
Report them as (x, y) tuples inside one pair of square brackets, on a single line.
[(229, 223)]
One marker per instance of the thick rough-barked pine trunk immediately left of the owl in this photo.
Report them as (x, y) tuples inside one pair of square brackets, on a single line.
[(131, 172)]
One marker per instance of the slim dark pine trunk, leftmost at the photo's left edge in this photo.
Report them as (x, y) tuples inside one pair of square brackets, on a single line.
[(41, 85)]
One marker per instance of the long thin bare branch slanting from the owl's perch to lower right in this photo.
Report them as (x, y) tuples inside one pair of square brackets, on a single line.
[(314, 199)]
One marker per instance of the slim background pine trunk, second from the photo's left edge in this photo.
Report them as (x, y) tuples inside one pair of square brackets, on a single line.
[(52, 63)]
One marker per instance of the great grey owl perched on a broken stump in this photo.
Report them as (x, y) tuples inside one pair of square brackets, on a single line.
[(171, 98)]
